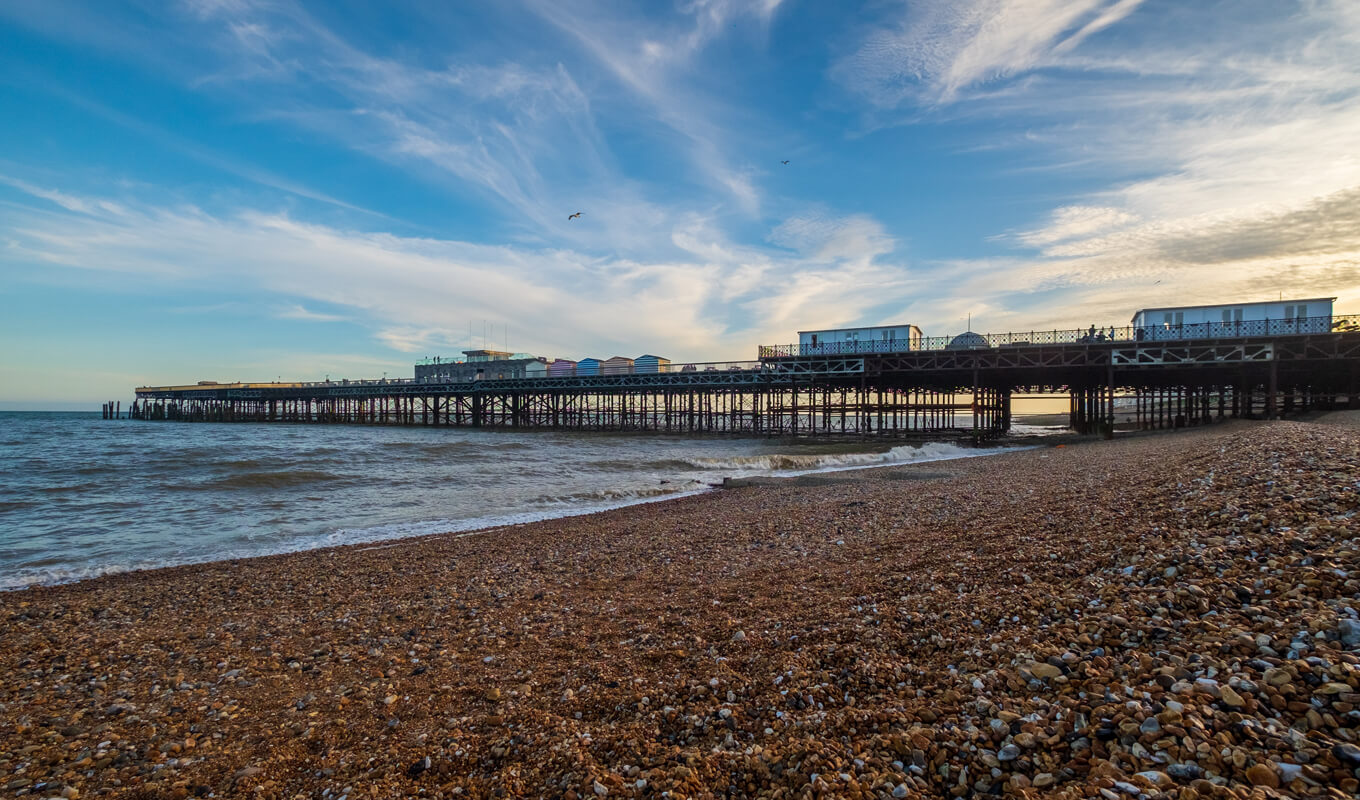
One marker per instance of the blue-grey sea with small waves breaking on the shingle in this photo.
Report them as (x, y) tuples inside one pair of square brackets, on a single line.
[(84, 497)]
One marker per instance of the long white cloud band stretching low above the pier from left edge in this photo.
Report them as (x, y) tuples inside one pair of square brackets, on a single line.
[(418, 293)]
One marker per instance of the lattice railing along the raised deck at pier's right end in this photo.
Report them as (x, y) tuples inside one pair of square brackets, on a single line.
[(1093, 335)]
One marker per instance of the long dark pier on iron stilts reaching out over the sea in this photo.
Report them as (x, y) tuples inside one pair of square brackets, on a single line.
[(855, 390)]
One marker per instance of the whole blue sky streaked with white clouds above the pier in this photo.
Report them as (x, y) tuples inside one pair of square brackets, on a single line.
[(259, 190)]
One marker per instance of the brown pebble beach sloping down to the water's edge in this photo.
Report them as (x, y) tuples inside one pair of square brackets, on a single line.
[(1166, 616)]
